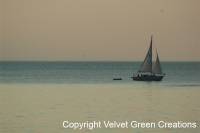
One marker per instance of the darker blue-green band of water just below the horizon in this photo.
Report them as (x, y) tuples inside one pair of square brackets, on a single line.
[(178, 74)]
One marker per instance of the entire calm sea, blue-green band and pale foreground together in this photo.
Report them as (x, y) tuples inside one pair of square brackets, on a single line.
[(36, 97)]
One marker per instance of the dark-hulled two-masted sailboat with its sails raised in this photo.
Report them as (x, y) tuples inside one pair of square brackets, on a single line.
[(149, 70)]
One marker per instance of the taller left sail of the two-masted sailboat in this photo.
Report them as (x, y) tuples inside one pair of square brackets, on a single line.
[(147, 64)]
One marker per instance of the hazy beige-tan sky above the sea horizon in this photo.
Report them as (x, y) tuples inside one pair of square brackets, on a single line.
[(99, 29)]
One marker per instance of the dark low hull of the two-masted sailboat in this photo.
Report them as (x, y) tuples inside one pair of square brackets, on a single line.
[(148, 77)]
